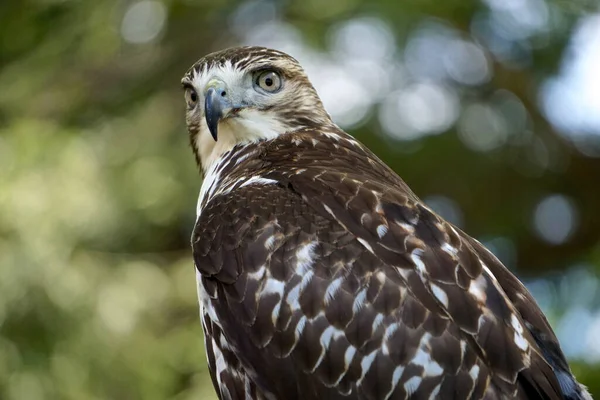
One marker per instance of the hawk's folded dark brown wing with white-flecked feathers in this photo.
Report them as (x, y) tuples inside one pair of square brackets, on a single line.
[(321, 284)]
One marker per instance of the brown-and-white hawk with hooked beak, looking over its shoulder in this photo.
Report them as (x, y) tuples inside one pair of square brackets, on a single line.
[(321, 275)]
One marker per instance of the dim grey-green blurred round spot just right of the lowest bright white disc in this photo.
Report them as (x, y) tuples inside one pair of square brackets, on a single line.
[(482, 128)]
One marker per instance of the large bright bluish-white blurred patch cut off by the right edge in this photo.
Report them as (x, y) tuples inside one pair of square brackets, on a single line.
[(571, 101)]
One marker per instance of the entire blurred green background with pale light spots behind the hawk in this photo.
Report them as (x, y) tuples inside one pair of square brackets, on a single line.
[(490, 110)]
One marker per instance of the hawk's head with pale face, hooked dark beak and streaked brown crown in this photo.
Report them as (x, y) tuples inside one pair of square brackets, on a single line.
[(245, 94)]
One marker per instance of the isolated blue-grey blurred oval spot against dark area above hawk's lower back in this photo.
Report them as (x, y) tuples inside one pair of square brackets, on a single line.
[(555, 219)]
